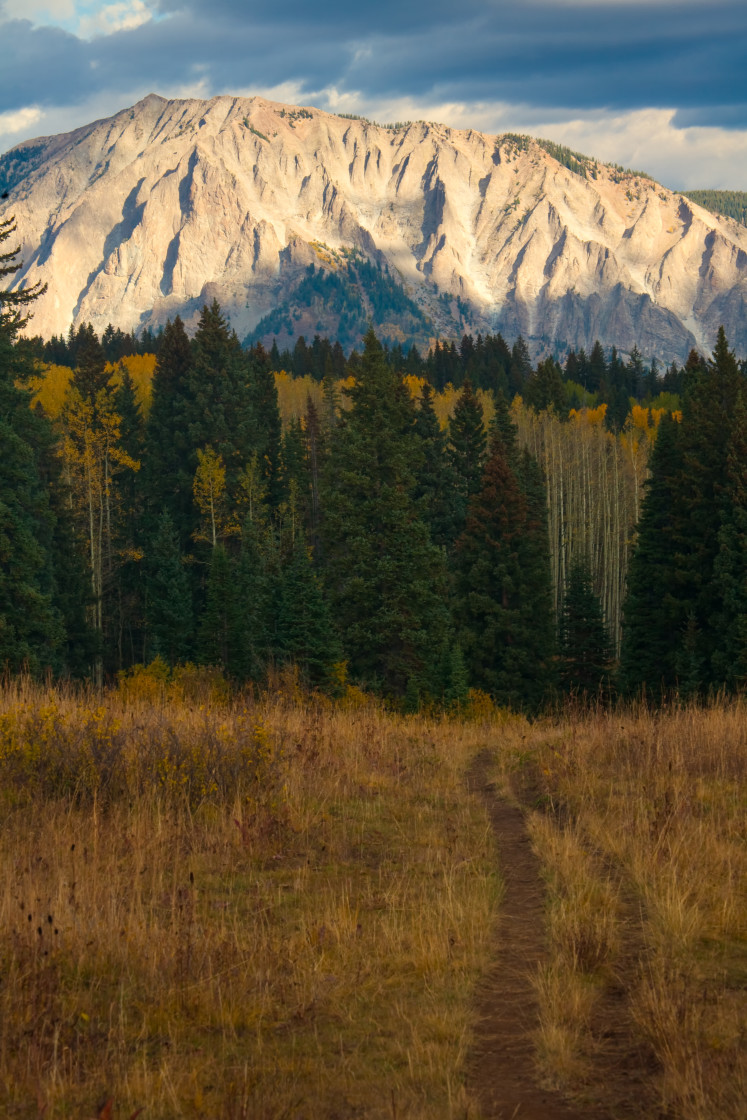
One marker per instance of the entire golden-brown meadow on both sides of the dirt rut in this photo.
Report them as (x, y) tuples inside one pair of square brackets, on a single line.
[(282, 907)]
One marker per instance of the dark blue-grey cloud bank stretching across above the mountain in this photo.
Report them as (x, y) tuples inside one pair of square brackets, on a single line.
[(548, 55)]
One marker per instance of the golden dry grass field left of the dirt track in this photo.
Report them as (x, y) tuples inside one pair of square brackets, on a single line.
[(262, 910)]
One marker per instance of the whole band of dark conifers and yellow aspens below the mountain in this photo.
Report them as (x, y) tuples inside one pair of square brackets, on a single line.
[(418, 526)]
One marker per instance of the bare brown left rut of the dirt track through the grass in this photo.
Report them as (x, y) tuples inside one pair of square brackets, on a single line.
[(502, 1071)]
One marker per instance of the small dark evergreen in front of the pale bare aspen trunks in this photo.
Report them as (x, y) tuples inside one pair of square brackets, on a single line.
[(585, 648)]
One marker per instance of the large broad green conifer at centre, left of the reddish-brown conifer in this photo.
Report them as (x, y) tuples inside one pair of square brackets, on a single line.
[(387, 580)]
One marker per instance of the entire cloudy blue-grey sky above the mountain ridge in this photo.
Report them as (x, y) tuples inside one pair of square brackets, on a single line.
[(659, 86)]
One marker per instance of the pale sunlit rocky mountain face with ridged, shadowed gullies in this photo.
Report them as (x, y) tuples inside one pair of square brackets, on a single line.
[(171, 203)]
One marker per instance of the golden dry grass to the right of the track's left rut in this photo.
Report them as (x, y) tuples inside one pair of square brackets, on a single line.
[(641, 824)]
